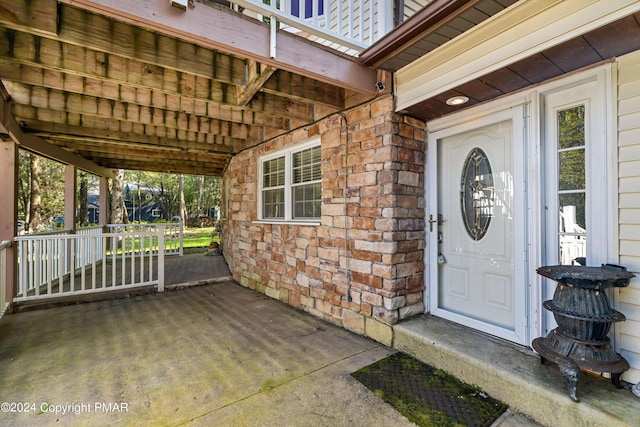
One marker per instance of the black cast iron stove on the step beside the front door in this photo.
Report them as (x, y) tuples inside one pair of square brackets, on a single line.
[(581, 308)]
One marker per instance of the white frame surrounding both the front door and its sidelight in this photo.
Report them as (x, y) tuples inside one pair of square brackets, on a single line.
[(529, 160)]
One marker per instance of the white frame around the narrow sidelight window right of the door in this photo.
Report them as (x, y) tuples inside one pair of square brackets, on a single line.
[(593, 90)]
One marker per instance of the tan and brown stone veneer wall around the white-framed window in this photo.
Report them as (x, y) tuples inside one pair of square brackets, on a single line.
[(362, 267)]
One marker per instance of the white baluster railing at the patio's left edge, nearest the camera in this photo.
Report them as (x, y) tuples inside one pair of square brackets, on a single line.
[(56, 265)]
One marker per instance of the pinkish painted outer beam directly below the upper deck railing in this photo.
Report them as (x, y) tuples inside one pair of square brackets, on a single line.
[(224, 30)]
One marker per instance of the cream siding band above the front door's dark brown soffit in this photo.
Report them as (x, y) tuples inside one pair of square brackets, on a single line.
[(524, 29)]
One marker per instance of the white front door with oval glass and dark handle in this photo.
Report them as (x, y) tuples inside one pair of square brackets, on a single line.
[(475, 234)]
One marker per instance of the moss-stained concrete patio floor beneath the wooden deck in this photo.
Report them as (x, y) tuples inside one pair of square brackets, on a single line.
[(213, 354)]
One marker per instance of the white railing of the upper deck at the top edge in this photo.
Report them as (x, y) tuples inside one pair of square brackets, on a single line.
[(349, 26)]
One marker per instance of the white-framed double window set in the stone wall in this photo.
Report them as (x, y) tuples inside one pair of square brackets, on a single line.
[(291, 185)]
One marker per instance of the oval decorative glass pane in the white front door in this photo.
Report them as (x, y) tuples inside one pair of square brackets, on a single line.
[(476, 194)]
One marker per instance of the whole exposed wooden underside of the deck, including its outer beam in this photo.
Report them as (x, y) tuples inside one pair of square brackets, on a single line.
[(142, 85)]
